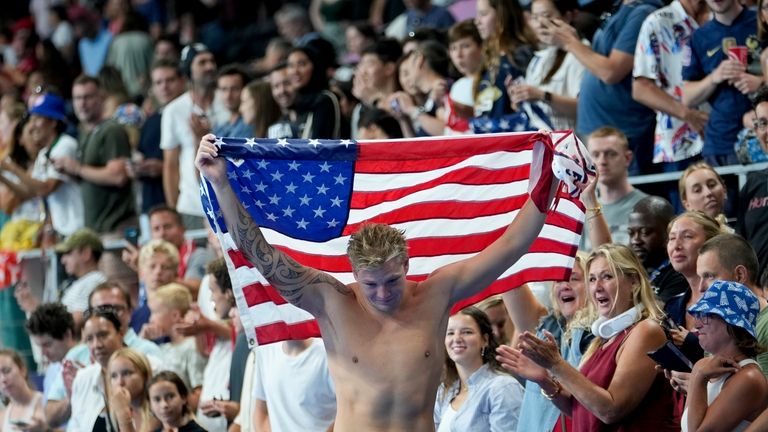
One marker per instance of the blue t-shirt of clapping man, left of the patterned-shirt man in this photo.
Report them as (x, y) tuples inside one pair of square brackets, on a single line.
[(601, 104)]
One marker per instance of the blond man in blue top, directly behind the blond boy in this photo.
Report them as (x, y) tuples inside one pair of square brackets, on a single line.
[(158, 261)]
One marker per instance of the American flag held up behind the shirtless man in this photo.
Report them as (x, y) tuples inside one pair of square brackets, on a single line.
[(452, 195)]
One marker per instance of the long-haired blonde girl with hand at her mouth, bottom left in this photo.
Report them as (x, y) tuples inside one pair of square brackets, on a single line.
[(129, 373)]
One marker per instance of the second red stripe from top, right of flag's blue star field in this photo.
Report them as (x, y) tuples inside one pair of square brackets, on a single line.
[(463, 176)]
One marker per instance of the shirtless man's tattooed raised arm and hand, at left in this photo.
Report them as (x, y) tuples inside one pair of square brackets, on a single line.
[(302, 286)]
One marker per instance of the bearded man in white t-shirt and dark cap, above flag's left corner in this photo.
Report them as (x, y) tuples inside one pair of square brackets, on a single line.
[(189, 115)]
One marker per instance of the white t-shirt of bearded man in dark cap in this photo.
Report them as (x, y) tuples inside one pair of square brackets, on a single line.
[(176, 132)]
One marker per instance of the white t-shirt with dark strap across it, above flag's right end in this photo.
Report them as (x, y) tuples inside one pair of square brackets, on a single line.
[(565, 82)]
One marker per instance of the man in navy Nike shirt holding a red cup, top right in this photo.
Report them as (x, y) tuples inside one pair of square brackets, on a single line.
[(712, 76)]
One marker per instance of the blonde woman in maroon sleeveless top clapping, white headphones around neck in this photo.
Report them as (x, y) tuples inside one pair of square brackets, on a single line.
[(617, 383)]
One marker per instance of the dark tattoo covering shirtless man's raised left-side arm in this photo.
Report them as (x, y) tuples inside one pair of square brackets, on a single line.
[(285, 274)]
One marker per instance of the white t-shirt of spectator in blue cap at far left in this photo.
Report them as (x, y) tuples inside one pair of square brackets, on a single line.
[(66, 202)]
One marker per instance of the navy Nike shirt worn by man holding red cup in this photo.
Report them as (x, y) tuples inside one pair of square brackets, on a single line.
[(706, 52)]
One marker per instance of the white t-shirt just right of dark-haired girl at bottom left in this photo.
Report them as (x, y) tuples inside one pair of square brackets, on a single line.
[(216, 384)]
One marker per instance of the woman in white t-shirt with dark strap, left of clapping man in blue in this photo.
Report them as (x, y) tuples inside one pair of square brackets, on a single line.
[(553, 77)]
